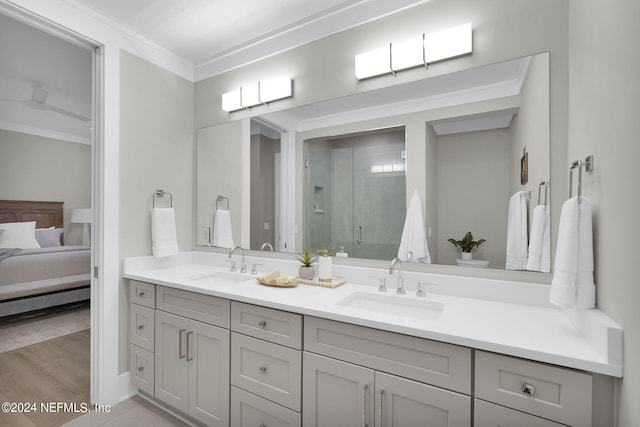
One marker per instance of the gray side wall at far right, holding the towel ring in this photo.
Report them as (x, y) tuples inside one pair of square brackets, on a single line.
[(603, 121)]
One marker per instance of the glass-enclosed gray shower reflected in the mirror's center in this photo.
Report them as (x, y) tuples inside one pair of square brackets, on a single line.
[(355, 193)]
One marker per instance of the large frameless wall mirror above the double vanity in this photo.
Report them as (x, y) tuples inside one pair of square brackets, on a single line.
[(340, 173)]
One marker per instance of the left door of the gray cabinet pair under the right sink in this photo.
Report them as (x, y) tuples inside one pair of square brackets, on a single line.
[(336, 393)]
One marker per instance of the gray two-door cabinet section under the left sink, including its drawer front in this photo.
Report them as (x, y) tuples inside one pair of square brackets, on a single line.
[(192, 358)]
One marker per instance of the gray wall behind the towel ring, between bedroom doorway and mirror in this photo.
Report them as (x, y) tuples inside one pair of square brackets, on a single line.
[(156, 152)]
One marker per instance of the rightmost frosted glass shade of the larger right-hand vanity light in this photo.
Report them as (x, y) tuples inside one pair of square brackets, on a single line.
[(448, 43)]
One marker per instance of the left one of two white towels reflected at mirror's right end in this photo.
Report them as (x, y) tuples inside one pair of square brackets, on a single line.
[(517, 233)]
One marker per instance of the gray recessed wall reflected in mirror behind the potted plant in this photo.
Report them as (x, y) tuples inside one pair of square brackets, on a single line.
[(473, 193)]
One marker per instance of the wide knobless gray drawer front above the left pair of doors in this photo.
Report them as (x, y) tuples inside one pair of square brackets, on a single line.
[(205, 308)]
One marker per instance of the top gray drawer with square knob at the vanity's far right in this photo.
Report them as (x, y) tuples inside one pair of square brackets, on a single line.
[(551, 392)]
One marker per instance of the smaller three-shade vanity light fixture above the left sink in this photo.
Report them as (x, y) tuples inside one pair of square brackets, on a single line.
[(257, 93)]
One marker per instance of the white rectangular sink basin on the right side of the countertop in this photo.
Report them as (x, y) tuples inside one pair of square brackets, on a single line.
[(400, 306)]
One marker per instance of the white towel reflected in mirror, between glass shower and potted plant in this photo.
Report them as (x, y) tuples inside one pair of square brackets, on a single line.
[(413, 236)]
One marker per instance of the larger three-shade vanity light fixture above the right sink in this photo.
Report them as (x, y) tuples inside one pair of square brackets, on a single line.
[(428, 48)]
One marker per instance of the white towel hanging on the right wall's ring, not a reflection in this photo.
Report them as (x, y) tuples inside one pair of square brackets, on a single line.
[(572, 284)]
